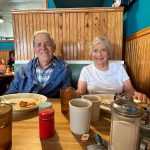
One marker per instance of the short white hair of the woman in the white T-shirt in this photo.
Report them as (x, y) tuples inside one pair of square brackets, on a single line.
[(99, 40)]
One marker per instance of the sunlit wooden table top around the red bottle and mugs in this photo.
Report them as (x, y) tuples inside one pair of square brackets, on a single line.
[(25, 132)]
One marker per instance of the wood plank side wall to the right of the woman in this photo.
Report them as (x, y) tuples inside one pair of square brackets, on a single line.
[(137, 58)]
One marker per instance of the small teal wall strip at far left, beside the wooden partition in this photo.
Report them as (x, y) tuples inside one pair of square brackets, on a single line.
[(7, 46)]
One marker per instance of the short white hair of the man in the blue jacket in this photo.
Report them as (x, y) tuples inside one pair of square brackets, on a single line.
[(52, 42)]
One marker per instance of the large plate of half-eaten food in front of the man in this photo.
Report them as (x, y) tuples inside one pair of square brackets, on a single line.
[(23, 102)]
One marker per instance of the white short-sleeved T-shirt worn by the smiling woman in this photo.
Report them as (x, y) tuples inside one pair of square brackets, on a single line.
[(98, 81)]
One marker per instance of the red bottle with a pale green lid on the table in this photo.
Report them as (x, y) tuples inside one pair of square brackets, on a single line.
[(46, 120)]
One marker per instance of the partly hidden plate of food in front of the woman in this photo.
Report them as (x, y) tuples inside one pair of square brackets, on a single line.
[(106, 100)]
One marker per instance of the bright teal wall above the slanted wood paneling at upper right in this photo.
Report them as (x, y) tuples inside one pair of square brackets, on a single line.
[(137, 17)]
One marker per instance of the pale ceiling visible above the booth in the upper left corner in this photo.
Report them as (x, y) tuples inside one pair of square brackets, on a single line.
[(6, 6)]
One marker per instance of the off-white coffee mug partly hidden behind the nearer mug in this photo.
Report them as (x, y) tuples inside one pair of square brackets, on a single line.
[(95, 111)]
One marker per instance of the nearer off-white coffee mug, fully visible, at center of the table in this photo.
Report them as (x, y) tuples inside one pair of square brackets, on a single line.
[(80, 113)]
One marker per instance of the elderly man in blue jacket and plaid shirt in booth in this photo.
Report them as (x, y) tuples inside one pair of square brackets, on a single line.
[(46, 73)]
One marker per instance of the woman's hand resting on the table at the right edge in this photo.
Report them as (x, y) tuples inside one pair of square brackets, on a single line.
[(142, 97)]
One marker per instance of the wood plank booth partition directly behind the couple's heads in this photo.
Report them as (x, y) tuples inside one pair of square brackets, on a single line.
[(72, 29)]
